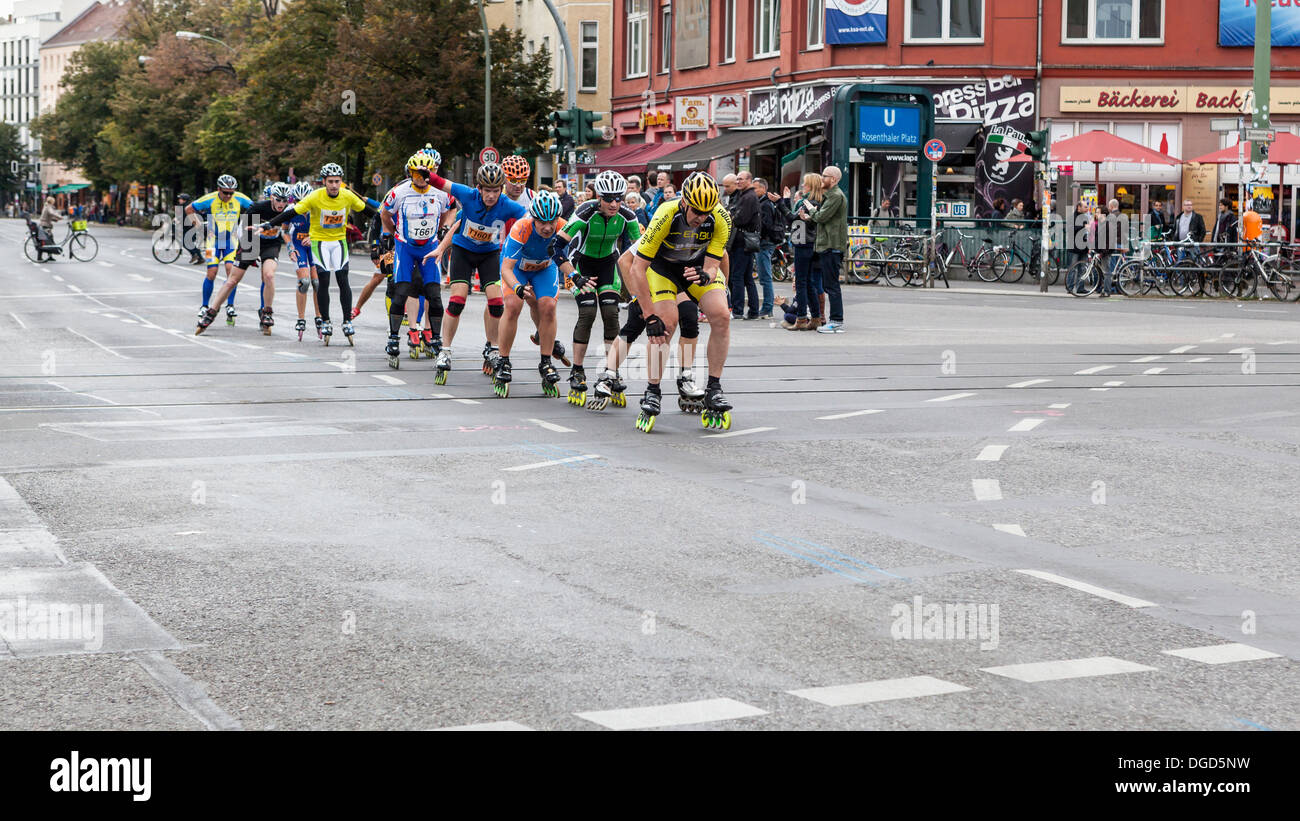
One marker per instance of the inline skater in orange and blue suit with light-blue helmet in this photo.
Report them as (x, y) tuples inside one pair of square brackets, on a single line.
[(530, 276)]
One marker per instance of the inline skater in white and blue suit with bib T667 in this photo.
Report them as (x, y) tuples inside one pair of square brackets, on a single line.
[(414, 212)]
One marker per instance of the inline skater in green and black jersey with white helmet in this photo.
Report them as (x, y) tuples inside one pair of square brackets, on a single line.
[(601, 225)]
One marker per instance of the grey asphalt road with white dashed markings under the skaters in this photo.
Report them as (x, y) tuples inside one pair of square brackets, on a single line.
[(263, 533)]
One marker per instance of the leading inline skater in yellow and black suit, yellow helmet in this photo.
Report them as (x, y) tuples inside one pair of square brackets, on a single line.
[(688, 234)]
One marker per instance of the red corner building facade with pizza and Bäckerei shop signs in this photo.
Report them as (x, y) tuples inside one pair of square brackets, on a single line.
[(1150, 71)]
